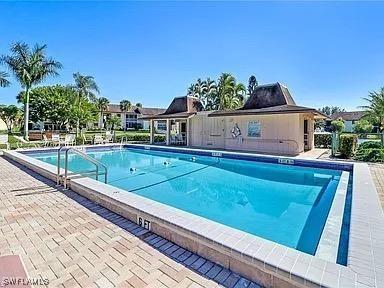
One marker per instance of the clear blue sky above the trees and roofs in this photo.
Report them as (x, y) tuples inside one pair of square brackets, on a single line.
[(326, 53)]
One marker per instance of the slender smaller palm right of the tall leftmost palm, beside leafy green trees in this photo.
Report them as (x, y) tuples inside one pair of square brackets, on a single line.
[(85, 87)]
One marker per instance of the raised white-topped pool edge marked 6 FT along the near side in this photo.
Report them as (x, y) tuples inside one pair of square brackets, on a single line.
[(272, 264)]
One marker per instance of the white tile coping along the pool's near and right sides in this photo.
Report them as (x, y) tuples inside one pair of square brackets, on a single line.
[(269, 263)]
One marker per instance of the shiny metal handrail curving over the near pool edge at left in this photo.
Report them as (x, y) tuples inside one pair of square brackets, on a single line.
[(85, 157)]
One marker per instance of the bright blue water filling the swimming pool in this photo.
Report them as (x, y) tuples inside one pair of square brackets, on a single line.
[(282, 203)]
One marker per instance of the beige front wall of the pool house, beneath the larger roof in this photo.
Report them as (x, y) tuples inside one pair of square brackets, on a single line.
[(282, 134)]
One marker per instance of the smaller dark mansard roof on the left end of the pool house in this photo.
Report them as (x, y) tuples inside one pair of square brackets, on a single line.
[(180, 107)]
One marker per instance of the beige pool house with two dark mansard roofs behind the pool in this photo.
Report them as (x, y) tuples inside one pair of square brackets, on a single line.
[(269, 122)]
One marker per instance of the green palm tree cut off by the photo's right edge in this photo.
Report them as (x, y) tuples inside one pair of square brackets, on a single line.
[(374, 111)]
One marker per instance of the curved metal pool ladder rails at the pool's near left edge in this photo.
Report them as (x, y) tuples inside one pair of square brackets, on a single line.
[(64, 178)]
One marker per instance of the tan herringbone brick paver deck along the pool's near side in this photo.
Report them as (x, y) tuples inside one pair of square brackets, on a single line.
[(74, 242)]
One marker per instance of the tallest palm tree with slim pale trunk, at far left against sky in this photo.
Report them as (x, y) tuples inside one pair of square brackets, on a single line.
[(30, 67)]
